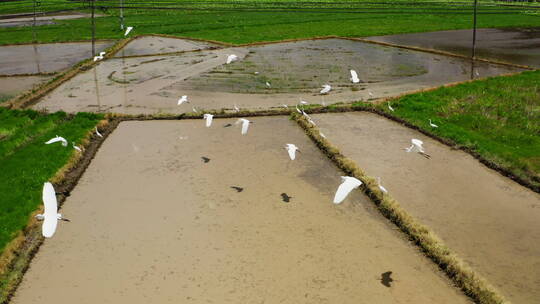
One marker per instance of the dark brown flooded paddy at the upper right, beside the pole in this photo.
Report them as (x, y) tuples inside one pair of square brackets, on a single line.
[(519, 46)]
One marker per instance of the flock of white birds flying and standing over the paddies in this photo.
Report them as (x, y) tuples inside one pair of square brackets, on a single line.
[(51, 216)]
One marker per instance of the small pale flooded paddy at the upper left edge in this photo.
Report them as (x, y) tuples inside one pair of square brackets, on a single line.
[(46, 57)]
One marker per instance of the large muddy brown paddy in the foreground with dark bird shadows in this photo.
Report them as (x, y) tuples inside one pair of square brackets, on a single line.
[(152, 223)]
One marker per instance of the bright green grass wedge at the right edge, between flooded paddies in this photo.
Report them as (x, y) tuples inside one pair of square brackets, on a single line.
[(498, 118)]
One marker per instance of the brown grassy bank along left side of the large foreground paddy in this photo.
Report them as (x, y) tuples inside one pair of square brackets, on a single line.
[(16, 256)]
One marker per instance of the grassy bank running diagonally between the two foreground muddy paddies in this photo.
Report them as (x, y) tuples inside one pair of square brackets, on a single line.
[(473, 284)]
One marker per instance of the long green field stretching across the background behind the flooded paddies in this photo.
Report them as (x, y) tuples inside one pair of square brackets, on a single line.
[(240, 27)]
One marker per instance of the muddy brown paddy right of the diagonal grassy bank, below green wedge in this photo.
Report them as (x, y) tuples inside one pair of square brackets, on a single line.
[(490, 221)]
